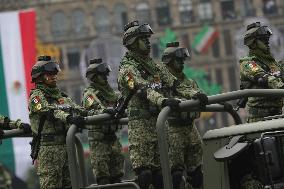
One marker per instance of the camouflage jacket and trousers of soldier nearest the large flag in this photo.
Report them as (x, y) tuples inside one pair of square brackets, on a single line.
[(53, 170)]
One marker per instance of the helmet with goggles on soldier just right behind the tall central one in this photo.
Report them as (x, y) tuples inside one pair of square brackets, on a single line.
[(173, 51)]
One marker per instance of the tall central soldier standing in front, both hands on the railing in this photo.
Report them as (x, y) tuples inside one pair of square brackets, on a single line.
[(140, 80)]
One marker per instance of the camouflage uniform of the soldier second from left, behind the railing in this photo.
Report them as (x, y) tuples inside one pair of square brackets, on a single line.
[(106, 156)]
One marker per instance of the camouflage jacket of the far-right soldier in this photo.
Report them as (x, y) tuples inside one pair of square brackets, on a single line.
[(250, 67)]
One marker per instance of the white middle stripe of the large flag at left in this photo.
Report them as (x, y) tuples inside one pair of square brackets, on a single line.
[(14, 71)]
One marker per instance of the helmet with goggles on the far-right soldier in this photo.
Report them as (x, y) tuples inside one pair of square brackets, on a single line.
[(256, 31)]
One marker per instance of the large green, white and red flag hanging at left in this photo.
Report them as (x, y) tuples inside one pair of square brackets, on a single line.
[(17, 56)]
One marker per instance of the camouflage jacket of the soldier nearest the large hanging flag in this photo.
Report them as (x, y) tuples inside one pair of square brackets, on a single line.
[(51, 103)]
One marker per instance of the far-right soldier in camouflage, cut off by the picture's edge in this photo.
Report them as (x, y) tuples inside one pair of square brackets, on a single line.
[(259, 70)]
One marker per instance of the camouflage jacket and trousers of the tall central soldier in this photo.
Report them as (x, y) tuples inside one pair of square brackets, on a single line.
[(143, 111)]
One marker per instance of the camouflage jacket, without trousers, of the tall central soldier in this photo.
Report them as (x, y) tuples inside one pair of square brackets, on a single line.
[(136, 73)]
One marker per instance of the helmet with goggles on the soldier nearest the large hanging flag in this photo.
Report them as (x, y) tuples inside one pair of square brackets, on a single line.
[(44, 64)]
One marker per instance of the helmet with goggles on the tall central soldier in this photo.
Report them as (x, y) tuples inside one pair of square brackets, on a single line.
[(133, 30)]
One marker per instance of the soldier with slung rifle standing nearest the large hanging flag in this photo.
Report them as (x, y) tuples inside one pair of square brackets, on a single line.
[(50, 112)]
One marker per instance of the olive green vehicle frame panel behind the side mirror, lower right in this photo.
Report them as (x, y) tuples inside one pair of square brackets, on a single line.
[(216, 173)]
